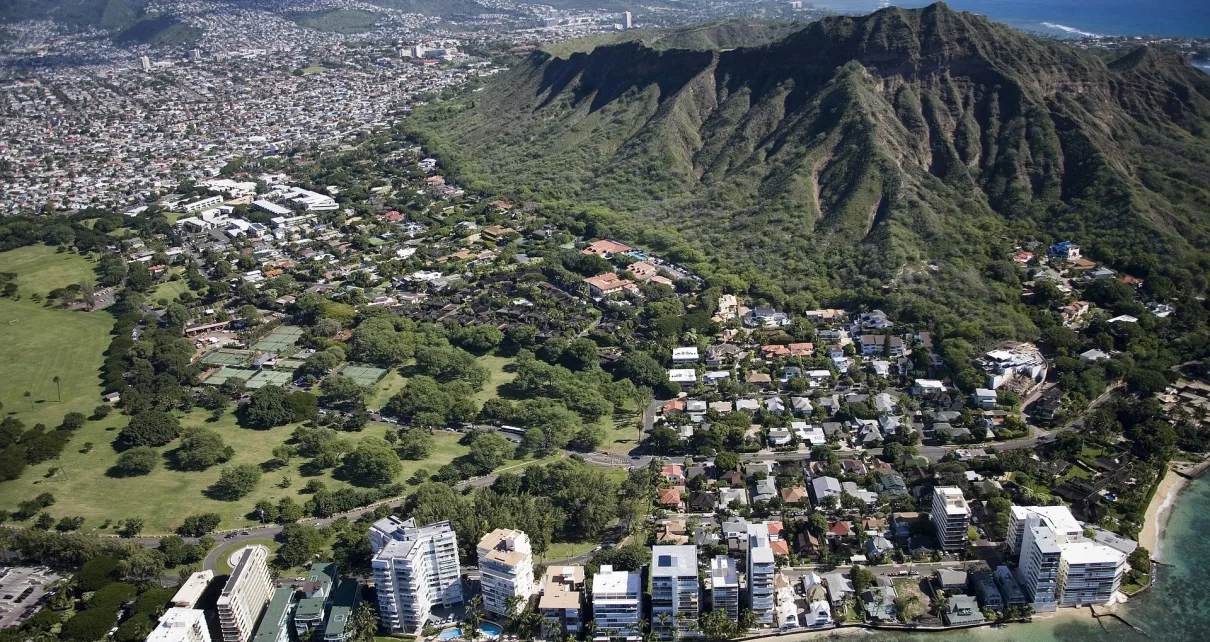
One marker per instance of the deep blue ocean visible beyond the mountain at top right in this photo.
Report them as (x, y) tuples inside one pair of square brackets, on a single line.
[(1074, 19)]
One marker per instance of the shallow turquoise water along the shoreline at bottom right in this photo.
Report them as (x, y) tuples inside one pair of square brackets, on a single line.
[(1176, 610)]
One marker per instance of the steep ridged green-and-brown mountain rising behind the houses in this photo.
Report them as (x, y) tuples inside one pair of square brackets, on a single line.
[(909, 132)]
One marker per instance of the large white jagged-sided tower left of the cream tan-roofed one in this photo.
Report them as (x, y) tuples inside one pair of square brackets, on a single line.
[(414, 570)]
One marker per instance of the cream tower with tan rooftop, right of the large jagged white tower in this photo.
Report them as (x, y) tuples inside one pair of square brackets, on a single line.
[(506, 570)]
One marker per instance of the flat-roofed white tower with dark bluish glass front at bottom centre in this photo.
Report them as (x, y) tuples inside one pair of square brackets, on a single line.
[(676, 592)]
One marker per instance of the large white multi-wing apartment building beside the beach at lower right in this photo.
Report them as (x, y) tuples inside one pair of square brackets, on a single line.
[(1058, 565)]
